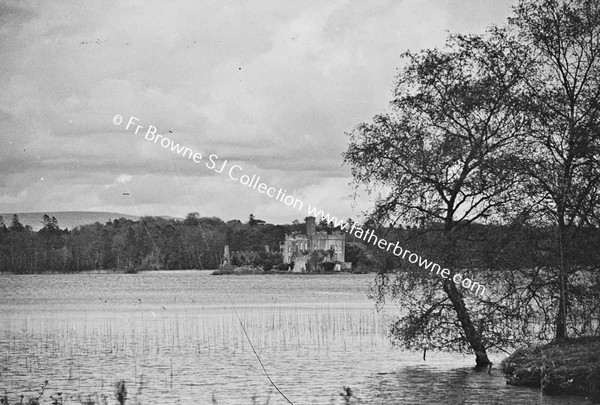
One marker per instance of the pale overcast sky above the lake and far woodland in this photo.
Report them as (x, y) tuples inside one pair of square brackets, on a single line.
[(272, 86)]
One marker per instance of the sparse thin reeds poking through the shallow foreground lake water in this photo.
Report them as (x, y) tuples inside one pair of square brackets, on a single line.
[(171, 348)]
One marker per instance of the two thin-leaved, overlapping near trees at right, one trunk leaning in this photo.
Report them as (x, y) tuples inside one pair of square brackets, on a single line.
[(501, 129)]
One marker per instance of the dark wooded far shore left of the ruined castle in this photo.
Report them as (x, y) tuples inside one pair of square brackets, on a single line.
[(122, 244)]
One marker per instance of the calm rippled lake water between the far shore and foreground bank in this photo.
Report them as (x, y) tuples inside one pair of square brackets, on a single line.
[(175, 338)]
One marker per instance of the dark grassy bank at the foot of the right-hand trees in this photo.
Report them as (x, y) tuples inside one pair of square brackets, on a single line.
[(571, 367)]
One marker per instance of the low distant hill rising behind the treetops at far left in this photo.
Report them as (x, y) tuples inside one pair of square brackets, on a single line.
[(66, 219)]
